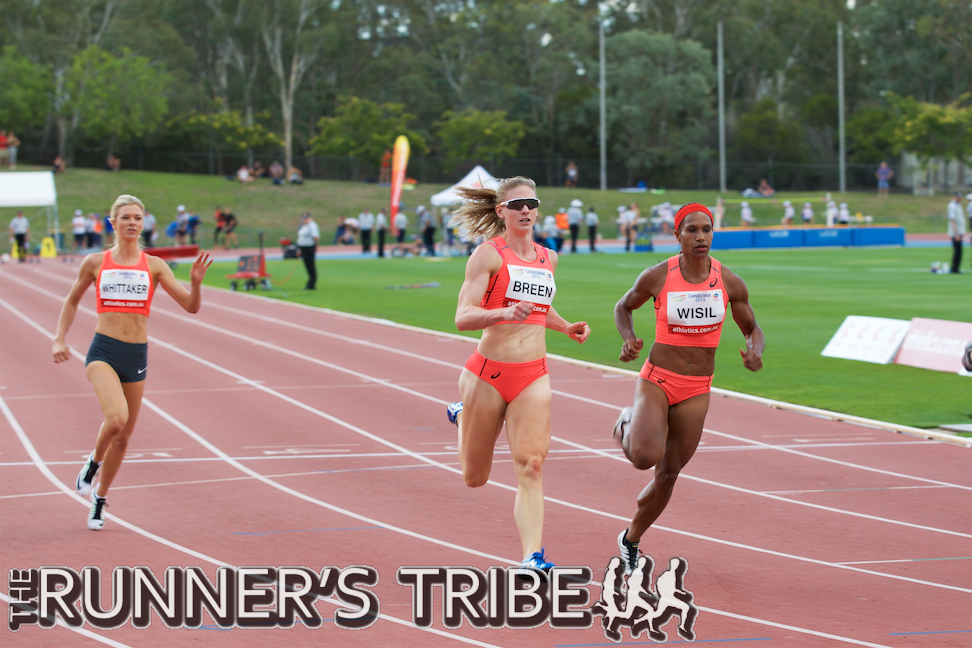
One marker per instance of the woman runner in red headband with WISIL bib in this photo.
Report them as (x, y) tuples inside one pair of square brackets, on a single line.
[(663, 429)]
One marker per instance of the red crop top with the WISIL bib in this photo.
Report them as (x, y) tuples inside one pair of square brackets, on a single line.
[(688, 314)]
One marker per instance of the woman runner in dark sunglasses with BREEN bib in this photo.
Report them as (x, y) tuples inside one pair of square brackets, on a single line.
[(507, 293)]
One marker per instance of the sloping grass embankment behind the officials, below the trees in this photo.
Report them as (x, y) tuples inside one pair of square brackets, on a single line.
[(275, 210)]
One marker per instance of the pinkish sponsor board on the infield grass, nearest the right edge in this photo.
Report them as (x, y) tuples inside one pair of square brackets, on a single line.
[(935, 344)]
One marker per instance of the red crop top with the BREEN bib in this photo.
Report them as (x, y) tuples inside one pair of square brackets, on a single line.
[(519, 280)]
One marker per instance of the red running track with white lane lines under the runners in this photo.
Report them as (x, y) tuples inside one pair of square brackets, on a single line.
[(276, 435)]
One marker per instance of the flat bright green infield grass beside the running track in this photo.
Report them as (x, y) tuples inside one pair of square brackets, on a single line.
[(800, 298)]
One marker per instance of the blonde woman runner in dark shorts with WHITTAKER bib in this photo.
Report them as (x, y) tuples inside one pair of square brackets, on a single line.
[(125, 278)]
